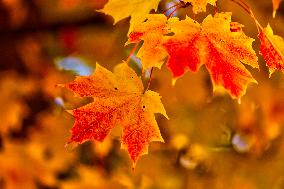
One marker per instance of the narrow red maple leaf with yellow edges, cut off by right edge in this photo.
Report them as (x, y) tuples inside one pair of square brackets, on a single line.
[(272, 49)]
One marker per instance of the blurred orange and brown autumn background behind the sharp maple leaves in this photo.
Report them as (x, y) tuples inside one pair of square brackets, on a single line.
[(211, 140)]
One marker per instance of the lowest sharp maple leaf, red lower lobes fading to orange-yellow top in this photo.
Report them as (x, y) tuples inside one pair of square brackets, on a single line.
[(118, 100)]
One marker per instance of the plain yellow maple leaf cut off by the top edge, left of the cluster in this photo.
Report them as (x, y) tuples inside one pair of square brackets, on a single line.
[(137, 9)]
